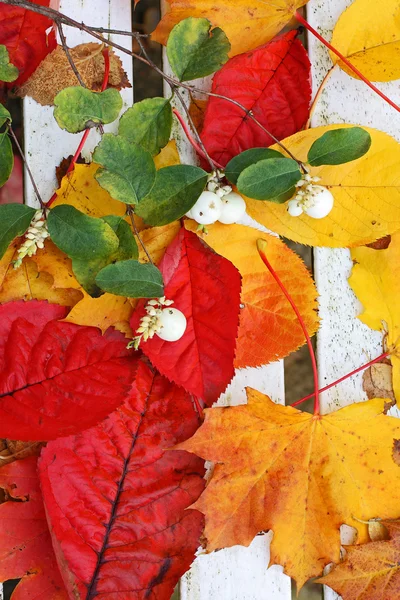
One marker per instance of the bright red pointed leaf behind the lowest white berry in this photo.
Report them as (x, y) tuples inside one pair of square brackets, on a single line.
[(206, 288)]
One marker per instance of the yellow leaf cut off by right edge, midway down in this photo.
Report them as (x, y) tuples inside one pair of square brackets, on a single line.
[(375, 279)]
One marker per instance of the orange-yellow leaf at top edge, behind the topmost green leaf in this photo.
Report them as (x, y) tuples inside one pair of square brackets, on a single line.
[(247, 25)]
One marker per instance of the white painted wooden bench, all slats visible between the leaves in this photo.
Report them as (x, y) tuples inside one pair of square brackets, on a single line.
[(343, 342)]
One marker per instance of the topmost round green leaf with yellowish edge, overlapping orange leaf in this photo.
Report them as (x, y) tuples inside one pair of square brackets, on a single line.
[(194, 50)]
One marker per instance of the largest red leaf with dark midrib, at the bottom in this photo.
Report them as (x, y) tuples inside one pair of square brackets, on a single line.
[(116, 501)]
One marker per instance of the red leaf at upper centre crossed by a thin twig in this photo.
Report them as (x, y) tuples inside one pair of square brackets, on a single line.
[(273, 82)]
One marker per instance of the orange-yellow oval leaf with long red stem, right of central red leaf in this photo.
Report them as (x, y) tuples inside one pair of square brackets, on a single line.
[(268, 328)]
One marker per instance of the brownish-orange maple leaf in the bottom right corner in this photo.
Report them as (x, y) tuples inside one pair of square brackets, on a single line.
[(370, 570)]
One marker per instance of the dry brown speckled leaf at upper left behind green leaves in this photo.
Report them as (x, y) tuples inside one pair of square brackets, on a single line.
[(55, 73)]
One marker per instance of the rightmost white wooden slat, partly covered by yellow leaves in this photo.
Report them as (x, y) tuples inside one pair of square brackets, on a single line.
[(344, 343)]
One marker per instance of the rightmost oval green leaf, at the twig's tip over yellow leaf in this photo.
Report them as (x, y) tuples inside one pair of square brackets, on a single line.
[(339, 146)]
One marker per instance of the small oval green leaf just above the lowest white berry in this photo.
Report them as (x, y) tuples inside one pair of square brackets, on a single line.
[(131, 279)]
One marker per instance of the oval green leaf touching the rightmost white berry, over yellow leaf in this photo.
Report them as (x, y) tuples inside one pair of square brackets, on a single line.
[(272, 179)]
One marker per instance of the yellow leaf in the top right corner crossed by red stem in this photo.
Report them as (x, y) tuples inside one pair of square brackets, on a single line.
[(368, 34)]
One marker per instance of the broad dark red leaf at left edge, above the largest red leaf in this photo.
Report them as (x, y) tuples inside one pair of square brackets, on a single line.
[(57, 378)]
